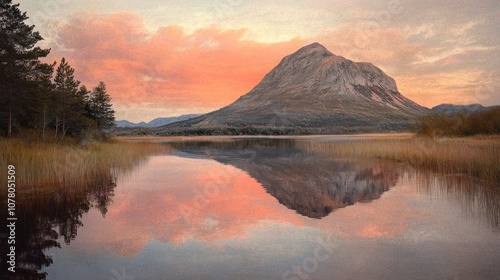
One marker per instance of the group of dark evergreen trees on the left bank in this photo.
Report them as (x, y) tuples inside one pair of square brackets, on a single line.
[(33, 100)]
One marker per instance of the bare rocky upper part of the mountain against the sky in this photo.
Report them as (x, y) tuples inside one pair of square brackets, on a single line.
[(314, 68)]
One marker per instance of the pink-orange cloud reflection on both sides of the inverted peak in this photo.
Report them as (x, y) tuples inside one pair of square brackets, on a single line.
[(149, 207)]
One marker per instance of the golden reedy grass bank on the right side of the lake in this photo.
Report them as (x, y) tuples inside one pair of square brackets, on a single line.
[(476, 156)]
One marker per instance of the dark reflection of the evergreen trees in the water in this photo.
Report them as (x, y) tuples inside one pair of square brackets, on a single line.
[(44, 218)]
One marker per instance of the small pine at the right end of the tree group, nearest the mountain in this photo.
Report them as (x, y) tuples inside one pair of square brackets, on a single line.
[(100, 107)]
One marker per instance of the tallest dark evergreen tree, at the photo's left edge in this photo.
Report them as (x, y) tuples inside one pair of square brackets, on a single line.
[(20, 68)]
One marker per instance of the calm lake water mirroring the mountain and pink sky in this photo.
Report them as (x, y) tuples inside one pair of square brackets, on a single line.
[(268, 209)]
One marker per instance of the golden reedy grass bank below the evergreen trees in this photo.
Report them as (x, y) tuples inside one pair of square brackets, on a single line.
[(47, 166)]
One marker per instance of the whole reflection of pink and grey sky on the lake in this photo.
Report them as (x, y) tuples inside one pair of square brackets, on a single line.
[(244, 233)]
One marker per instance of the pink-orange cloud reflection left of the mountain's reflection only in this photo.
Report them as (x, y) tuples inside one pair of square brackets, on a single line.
[(149, 206)]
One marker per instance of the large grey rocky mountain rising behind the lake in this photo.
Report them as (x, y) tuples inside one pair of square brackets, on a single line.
[(313, 91)]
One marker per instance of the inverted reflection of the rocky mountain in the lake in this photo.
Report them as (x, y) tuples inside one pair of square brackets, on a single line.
[(311, 184)]
